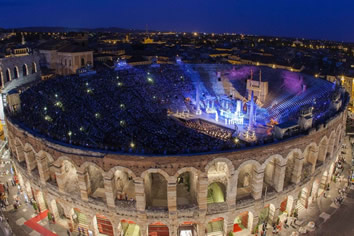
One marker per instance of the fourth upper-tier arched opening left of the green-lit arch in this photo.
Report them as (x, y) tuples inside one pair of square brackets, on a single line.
[(95, 184)]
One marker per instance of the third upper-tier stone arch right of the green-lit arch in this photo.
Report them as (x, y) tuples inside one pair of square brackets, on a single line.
[(293, 166)]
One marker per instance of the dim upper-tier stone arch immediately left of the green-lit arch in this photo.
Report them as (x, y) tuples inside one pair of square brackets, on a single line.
[(187, 186)]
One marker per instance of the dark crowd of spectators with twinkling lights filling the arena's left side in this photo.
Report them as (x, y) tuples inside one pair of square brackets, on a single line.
[(122, 111)]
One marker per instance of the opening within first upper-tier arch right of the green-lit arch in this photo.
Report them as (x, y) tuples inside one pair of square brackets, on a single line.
[(244, 183)]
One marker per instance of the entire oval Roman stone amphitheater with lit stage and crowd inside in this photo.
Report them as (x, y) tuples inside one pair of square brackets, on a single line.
[(132, 189)]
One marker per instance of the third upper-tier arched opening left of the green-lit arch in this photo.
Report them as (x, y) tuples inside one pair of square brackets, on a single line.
[(124, 188)]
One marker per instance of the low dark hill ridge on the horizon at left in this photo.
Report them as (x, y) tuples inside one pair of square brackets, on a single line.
[(68, 29)]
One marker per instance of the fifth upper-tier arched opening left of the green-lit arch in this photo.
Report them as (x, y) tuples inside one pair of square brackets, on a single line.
[(69, 177)]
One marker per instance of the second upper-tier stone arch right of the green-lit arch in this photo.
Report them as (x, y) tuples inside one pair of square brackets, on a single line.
[(274, 173)]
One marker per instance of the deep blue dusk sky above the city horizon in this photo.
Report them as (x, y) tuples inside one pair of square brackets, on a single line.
[(318, 19)]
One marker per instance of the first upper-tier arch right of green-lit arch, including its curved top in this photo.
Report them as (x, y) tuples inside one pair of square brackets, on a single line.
[(245, 179)]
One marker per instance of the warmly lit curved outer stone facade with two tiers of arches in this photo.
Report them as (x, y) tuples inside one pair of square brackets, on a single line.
[(84, 187)]
